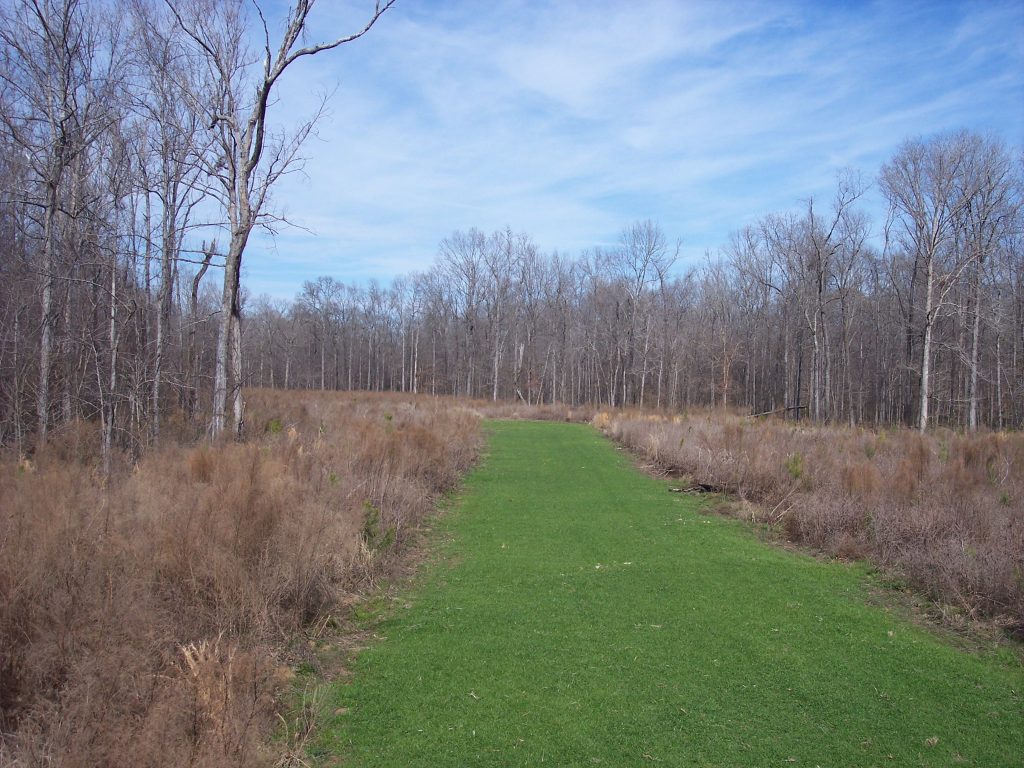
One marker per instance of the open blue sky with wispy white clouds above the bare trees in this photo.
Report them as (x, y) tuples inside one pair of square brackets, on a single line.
[(570, 120)]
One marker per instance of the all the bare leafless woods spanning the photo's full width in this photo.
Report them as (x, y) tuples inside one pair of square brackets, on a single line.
[(132, 135)]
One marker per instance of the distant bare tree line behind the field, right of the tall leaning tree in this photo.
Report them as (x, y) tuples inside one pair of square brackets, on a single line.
[(804, 314)]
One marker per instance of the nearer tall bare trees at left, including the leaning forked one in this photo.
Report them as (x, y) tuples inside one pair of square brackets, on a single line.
[(127, 131)]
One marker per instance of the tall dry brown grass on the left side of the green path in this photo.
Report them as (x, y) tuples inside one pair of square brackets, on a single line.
[(146, 621)]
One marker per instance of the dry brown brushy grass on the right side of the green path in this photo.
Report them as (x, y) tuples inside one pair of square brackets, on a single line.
[(946, 511)]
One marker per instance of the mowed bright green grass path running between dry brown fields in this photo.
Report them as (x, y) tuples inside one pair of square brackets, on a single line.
[(582, 616)]
